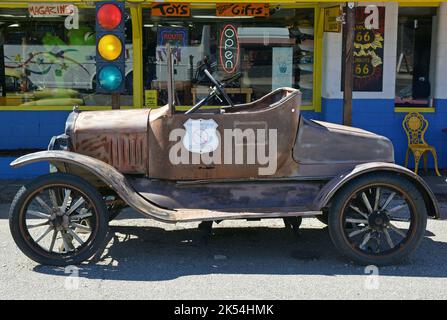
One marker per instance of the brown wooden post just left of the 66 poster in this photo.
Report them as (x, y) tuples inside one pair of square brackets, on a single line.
[(349, 63)]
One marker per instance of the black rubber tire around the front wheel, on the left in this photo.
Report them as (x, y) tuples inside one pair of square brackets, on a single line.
[(26, 243)]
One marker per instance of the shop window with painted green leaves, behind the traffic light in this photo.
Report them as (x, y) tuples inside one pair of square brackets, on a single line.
[(47, 63)]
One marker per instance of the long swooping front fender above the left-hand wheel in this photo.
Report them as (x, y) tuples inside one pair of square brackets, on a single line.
[(108, 174)]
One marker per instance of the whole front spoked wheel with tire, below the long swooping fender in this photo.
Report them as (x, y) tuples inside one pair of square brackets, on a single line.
[(58, 219)]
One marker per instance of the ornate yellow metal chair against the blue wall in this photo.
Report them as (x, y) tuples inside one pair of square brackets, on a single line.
[(415, 126)]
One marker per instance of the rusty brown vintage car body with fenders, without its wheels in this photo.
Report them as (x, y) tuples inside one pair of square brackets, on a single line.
[(126, 154)]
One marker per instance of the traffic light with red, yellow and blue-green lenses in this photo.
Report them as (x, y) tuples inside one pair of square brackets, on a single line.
[(110, 47)]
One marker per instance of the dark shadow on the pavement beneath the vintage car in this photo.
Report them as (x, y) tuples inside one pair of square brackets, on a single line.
[(155, 254)]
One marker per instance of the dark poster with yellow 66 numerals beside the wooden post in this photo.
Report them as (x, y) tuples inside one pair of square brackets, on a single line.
[(368, 49)]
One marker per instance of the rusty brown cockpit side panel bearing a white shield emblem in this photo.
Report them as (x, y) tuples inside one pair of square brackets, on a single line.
[(210, 145)]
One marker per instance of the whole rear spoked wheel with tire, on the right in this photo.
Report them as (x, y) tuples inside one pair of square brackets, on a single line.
[(377, 219)]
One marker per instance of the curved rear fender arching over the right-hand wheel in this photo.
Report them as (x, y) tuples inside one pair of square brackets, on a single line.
[(330, 189)]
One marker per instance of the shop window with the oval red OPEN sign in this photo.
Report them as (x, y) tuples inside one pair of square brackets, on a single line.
[(268, 52)]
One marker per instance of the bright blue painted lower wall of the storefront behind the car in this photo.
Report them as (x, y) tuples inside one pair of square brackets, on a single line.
[(33, 129)]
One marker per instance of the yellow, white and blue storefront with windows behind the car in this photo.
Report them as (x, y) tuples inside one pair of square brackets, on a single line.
[(47, 57)]
